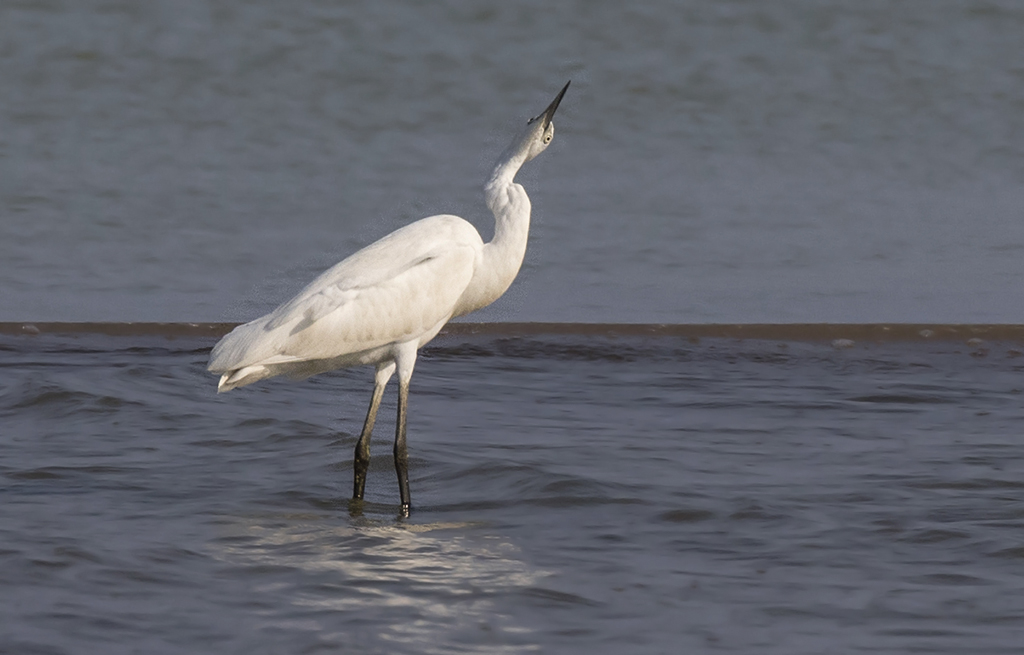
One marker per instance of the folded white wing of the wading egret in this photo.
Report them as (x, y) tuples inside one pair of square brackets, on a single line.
[(392, 291)]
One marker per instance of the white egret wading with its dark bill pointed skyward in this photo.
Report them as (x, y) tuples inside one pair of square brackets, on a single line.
[(382, 304)]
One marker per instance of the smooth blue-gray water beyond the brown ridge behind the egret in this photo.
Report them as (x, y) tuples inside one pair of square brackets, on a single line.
[(728, 161)]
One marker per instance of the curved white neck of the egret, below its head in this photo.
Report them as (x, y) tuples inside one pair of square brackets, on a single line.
[(503, 256)]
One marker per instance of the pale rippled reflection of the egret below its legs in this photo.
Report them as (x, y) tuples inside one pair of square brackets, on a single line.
[(426, 587)]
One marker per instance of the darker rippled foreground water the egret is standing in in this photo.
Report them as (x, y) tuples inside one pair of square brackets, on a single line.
[(573, 495)]
